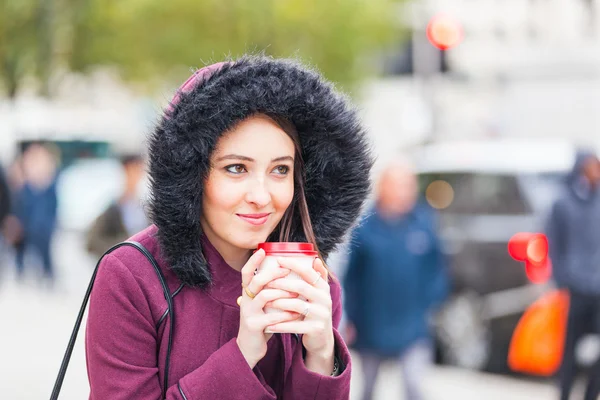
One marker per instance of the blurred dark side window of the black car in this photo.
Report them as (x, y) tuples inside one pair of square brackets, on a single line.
[(481, 193)]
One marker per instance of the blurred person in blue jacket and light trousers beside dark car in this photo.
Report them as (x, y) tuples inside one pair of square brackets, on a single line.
[(395, 278)]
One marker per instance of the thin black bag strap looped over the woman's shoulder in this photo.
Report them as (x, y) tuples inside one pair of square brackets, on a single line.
[(168, 297)]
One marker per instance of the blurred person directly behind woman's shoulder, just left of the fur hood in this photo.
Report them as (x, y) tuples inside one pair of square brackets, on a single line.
[(126, 216)]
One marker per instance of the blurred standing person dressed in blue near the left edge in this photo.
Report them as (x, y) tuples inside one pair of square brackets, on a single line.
[(36, 208)]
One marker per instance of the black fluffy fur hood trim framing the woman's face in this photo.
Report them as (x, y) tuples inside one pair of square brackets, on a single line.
[(335, 150)]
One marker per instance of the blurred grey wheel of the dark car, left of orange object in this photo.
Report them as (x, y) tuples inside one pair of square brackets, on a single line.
[(463, 333)]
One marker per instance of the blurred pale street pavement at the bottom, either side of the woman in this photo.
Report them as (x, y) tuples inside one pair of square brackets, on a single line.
[(39, 323)]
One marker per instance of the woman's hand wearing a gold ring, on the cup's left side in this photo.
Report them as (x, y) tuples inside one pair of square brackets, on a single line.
[(252, 339)]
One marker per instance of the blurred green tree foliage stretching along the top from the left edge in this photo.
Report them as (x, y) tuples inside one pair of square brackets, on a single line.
[(152, 41)]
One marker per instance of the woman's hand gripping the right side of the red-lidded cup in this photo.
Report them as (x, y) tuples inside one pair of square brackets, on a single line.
[(316, 326)]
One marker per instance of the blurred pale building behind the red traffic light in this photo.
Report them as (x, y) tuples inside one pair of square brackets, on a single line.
[(525, 68)]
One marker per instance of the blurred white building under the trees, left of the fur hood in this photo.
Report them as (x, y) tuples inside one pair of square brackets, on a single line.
[(96, 109)]
